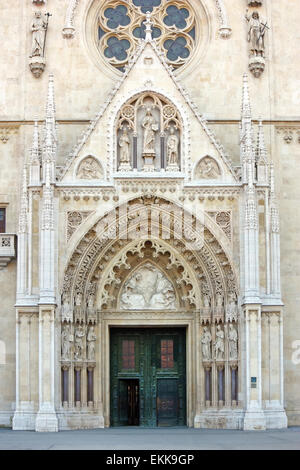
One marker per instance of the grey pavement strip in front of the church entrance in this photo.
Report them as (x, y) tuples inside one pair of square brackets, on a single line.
[(136, 438)]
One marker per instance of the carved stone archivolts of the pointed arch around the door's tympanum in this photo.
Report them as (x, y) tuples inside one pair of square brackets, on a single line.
[(200, 270)]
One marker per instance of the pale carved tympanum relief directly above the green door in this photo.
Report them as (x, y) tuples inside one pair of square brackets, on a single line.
[(148, 289)]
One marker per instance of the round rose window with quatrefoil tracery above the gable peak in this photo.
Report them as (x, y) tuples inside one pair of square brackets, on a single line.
[(121, 26)]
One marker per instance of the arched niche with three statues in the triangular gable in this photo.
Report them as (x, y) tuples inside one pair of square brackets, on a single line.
[(148, 135)]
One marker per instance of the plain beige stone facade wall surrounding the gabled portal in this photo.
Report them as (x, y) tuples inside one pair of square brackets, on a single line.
[(214, 84)]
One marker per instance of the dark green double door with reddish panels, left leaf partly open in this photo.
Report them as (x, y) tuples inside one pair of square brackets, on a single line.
[(148, 376)]
